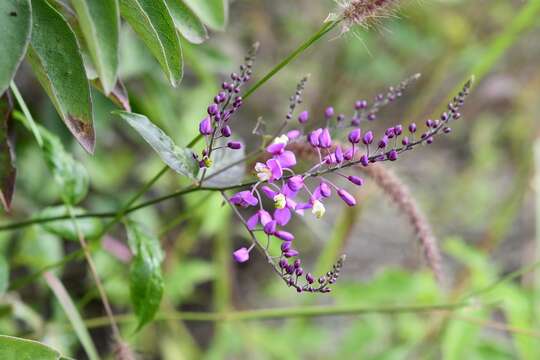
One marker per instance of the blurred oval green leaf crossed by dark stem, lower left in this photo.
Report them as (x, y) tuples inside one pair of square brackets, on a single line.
[(90, 227)]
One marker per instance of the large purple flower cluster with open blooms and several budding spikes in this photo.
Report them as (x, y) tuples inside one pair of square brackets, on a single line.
[(281, 192)]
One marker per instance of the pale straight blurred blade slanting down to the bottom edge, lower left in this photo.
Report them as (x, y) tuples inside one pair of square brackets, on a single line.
[(72, 314)]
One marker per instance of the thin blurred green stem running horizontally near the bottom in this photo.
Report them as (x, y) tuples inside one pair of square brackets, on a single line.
[(293, 312)]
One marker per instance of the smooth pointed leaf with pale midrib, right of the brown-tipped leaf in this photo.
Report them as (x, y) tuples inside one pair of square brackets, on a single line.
[(100, 26)]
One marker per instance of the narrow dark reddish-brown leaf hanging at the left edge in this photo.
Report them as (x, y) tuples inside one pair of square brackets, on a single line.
[(7, 167)]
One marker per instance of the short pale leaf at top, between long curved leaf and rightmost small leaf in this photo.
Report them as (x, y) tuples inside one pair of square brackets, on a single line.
[(187, 22)]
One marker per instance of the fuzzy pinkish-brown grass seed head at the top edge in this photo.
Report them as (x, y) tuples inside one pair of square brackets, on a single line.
[(363, 13)]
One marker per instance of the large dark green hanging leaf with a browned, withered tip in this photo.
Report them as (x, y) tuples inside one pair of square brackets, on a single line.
[(56, 60)]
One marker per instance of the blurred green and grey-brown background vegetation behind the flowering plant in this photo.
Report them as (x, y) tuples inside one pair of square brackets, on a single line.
[(477, 188)]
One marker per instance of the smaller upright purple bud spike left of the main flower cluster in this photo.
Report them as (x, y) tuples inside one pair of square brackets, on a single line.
[(226, 103)]
